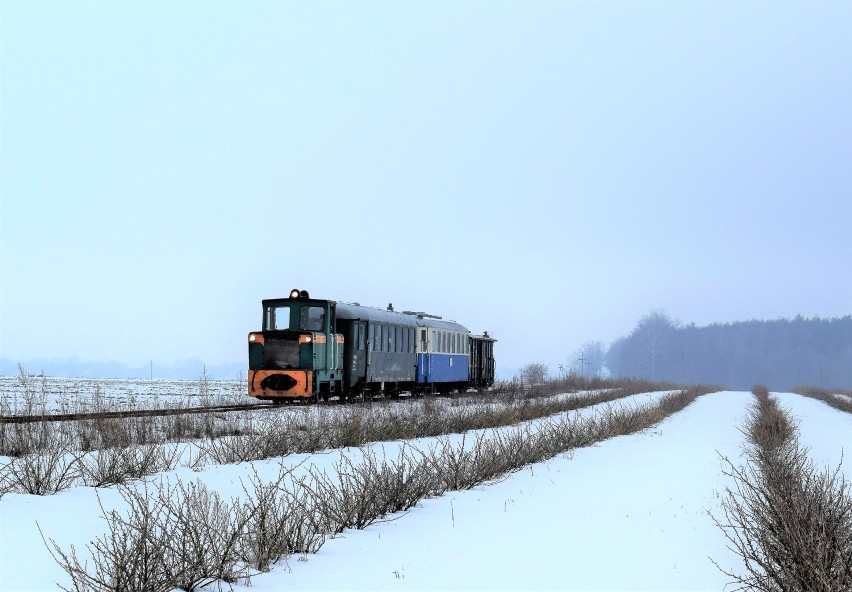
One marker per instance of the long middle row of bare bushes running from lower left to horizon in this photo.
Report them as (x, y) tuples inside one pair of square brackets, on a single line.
[(184, 536)]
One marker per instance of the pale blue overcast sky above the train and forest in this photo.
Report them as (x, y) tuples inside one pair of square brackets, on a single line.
[(546, 171)]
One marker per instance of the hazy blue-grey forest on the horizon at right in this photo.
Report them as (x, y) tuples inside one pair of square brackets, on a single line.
[(781, 354)]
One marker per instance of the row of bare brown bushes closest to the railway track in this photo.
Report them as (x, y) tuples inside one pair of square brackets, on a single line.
[(49, 458)]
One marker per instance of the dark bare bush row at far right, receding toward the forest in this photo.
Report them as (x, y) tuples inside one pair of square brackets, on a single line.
[(789, 521)]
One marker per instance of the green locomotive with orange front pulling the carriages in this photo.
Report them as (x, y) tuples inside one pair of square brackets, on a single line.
[(297, 354)]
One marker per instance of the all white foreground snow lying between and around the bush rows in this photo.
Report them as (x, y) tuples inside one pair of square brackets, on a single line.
[(630, 513)]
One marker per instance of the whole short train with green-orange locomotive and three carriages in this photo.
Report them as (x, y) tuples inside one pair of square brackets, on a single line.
[(311, 349)]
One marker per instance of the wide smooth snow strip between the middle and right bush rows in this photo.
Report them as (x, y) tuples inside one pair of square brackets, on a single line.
[(628, 514)]
